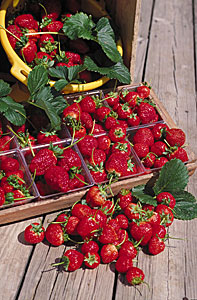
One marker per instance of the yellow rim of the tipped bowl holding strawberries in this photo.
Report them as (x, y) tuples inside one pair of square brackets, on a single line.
[(20, 70)]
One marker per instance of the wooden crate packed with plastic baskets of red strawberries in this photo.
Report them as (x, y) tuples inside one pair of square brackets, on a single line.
[(139, 167)]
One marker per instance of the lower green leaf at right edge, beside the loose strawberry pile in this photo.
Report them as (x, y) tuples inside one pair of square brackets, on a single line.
[(186, 206)]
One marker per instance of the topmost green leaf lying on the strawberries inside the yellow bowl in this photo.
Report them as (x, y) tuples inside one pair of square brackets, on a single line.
[(79, 26)]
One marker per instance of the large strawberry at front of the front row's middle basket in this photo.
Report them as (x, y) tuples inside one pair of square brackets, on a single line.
[(116, 165)]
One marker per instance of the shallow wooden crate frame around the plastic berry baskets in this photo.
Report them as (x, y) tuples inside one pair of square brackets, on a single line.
[(37, 208)]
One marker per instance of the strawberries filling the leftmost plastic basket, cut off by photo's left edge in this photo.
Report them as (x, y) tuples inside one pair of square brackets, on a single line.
[(13, 187)]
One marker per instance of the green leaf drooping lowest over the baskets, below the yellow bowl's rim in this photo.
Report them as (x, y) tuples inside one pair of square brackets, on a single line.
[(44, 100)]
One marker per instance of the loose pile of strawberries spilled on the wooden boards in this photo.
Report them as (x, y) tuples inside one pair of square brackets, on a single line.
[(107, 230)]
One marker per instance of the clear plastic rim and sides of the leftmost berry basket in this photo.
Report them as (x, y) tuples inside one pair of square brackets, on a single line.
[(16, 154)]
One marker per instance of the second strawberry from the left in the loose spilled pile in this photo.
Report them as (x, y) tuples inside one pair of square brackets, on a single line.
[(54, 234)]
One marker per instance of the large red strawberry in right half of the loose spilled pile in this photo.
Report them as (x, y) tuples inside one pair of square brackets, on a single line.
[(141, 231)]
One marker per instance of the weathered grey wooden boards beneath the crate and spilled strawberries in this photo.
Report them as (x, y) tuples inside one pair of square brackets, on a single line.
[(166, 57)]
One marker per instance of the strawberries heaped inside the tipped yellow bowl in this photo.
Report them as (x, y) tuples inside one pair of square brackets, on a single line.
[(37, 37)]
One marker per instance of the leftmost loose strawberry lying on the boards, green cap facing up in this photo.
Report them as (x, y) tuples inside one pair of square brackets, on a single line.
[(34, 233)]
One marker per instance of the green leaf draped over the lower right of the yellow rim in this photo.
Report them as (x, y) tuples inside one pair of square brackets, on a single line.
[(118, 71)]
